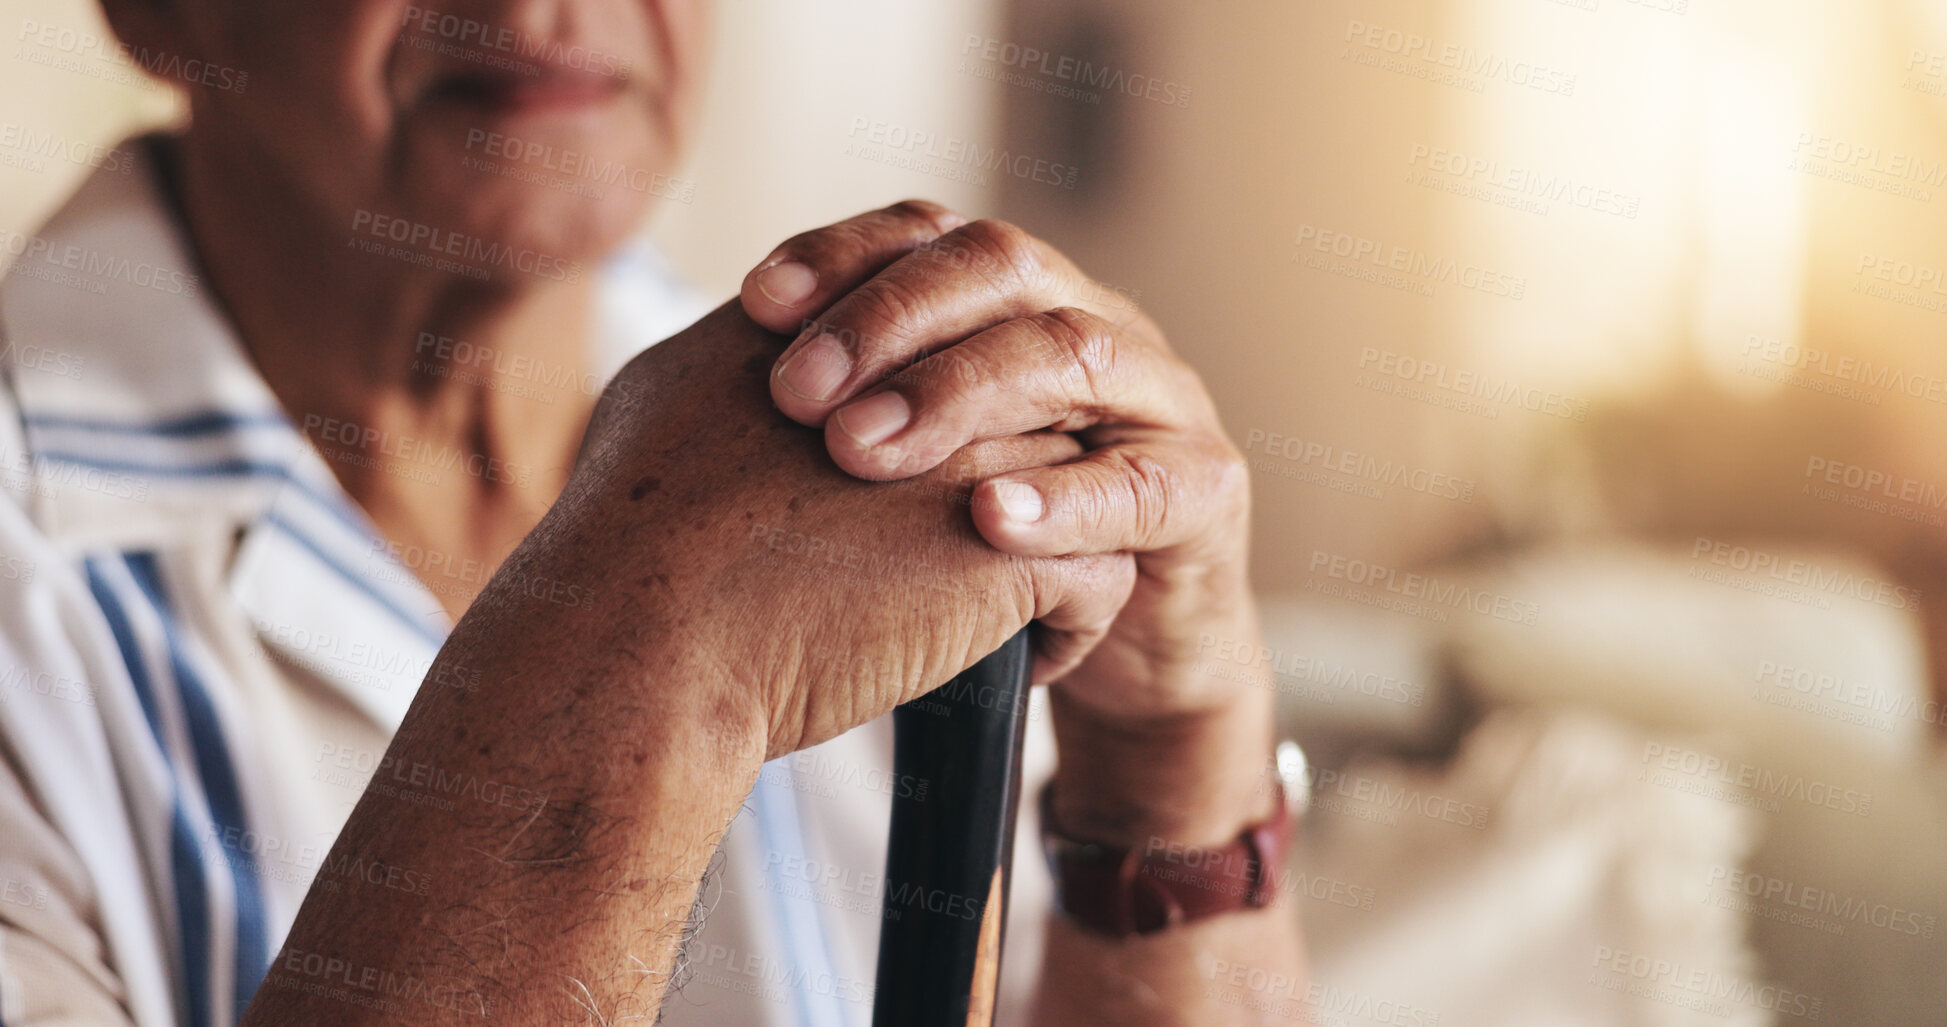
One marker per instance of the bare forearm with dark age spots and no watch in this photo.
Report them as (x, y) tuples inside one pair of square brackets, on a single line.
[(558, 882)]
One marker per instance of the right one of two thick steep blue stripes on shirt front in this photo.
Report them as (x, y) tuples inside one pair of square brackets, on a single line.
[(219, 786)]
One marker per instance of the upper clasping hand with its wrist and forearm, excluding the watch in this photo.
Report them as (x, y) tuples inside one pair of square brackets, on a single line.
[(920, 334)]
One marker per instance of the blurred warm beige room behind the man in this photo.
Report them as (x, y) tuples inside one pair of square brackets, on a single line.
[(1592, 358)]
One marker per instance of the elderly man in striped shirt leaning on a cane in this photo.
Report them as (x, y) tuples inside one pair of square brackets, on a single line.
[(369, 669)]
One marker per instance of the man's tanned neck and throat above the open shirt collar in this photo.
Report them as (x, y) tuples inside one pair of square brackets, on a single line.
[(449, 408)]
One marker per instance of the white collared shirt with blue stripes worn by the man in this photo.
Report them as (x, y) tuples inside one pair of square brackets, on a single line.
[(205, 650)]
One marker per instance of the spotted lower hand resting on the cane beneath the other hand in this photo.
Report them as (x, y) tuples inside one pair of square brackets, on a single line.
[(721, 529)]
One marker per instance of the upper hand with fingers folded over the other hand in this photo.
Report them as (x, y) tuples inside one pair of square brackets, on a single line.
[(920, 334)]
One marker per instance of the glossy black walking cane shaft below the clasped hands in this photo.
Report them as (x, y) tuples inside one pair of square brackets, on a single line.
[(947, 866)]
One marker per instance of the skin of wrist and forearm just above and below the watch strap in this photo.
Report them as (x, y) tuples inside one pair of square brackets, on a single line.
[(1193, 786)]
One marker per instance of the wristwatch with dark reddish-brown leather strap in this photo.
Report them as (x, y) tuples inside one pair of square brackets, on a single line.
[(1128, 892)]
